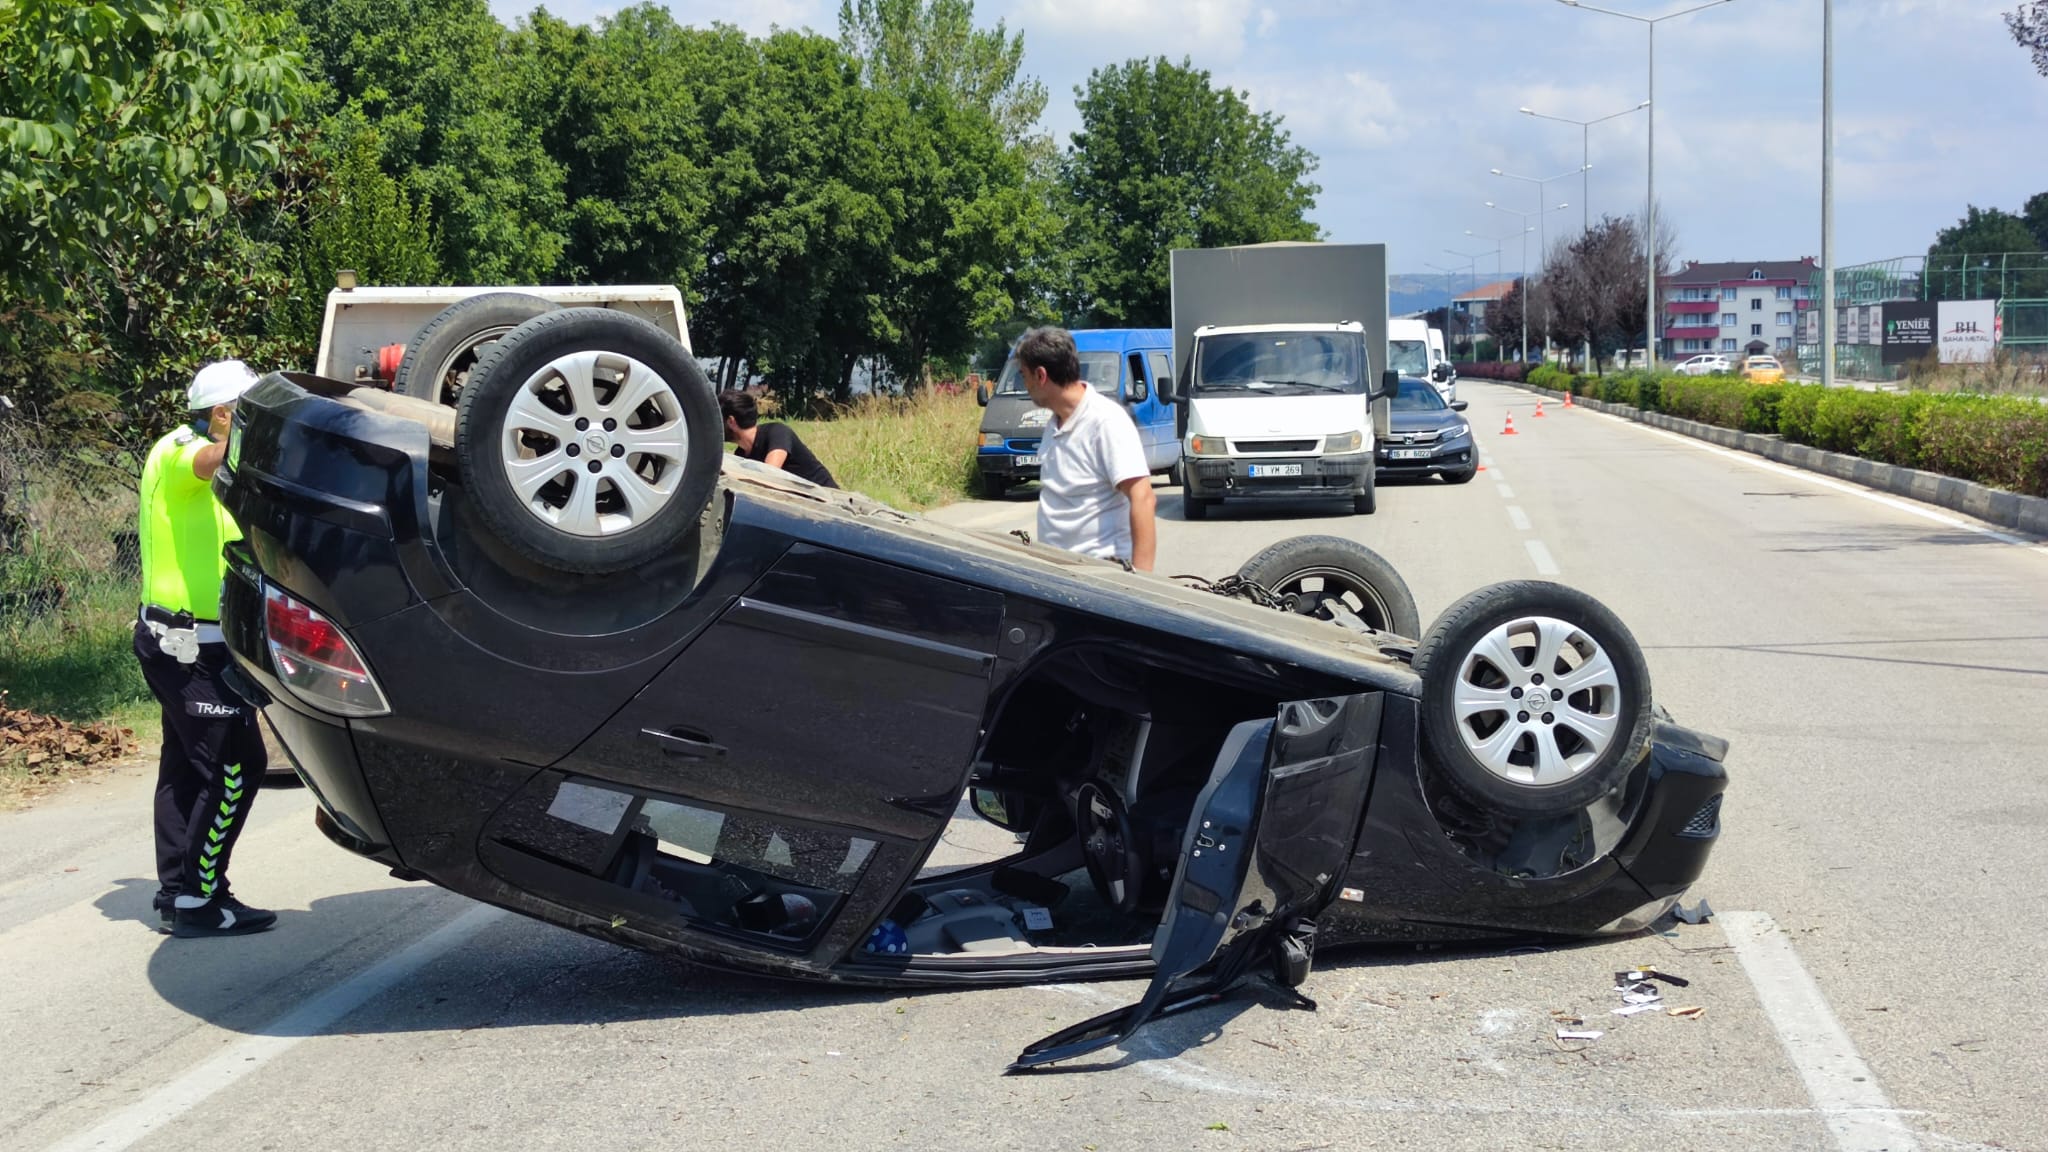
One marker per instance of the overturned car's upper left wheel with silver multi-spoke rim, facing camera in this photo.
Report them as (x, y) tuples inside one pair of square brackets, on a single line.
[(589, 440)]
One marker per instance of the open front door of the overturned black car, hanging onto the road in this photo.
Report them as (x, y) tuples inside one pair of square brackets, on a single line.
[(1265, 852)]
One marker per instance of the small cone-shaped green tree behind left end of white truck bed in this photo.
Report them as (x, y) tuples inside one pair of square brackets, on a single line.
[(357, 218)]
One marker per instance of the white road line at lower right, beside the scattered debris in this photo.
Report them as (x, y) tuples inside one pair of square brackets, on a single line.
[(1859, 1114)]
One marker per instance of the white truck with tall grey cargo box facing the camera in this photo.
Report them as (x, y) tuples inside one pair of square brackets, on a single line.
[(1281, 390)]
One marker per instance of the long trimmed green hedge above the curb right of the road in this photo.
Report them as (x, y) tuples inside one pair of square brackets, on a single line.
[(1992, 440)]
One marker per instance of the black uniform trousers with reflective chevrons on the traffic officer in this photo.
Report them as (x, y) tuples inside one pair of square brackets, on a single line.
[(208, 774)]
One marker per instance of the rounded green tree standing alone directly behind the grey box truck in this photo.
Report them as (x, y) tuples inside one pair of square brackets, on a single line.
[(1168, 161)]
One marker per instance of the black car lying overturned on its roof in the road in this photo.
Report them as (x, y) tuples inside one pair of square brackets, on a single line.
[(554, 651)]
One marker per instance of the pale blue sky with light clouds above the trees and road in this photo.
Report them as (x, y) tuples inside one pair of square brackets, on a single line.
[(1412, 104)]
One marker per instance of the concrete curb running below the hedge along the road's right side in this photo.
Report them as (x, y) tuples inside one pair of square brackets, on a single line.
[(1967, 497)]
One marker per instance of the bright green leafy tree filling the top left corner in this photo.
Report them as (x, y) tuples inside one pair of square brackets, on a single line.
[(124, 120)]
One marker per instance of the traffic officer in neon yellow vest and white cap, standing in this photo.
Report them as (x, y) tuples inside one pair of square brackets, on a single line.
[(214, 753)]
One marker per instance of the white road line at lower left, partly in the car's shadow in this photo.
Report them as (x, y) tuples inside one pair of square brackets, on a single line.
[(280, 1036)]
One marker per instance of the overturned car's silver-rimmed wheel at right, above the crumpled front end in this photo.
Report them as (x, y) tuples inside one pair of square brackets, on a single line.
[(1535, 698)]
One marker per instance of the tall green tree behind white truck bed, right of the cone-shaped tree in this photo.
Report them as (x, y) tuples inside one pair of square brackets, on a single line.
[(439, 83)]
